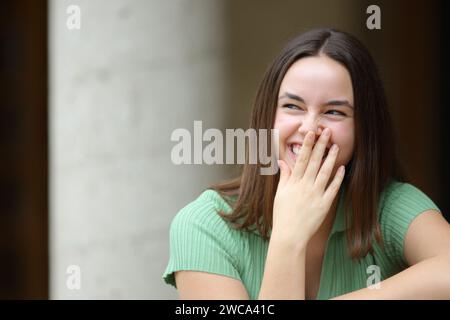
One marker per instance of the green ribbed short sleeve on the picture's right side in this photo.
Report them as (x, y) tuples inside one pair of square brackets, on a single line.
[(402, 203)]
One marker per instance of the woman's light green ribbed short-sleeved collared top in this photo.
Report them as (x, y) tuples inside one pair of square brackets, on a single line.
[(201, 240)]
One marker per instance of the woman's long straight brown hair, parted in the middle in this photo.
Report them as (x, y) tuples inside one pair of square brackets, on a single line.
[(373, 163)]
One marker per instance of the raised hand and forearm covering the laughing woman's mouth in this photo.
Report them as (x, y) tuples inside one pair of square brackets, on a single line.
[(300, 207)]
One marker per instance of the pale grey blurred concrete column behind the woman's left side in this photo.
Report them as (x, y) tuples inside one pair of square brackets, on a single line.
[(119, 86)]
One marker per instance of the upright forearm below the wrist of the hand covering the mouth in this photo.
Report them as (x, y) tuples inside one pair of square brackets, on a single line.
[(284, 272)]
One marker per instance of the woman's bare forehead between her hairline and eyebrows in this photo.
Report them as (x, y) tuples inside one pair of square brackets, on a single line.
[(317, 78)]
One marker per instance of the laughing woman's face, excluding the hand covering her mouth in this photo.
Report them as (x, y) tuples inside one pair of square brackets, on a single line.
[(316, 93)]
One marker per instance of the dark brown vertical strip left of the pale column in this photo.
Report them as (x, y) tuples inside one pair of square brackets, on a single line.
[(24, 150)]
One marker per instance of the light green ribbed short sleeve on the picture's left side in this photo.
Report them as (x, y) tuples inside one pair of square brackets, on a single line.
[(201, 240)]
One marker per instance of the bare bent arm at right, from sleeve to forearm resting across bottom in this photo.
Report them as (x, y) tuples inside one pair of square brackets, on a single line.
[(427, 250)]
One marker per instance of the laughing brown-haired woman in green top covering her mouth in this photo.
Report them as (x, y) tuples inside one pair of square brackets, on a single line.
[(316, 230)]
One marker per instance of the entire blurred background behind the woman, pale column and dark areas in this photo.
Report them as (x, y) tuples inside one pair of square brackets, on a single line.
[(86, 116)]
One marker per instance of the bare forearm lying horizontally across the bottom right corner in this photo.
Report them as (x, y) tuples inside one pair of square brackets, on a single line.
[(429, 279)]
